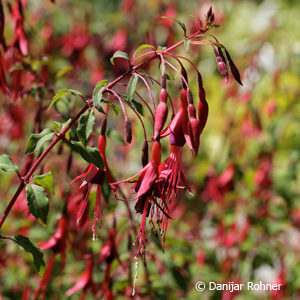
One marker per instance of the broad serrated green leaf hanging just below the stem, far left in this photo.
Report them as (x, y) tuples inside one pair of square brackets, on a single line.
[(37, 202)]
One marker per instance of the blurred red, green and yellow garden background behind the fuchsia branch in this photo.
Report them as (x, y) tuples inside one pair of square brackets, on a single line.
[(242, 223)]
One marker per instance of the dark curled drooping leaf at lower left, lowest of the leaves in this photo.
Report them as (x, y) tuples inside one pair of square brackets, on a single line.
[(25, 244)]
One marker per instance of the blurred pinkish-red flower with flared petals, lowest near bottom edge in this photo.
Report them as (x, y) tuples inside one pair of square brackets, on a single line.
[(85, 281)]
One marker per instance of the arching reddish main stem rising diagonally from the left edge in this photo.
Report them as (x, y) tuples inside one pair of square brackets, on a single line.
[(58, 137)]
